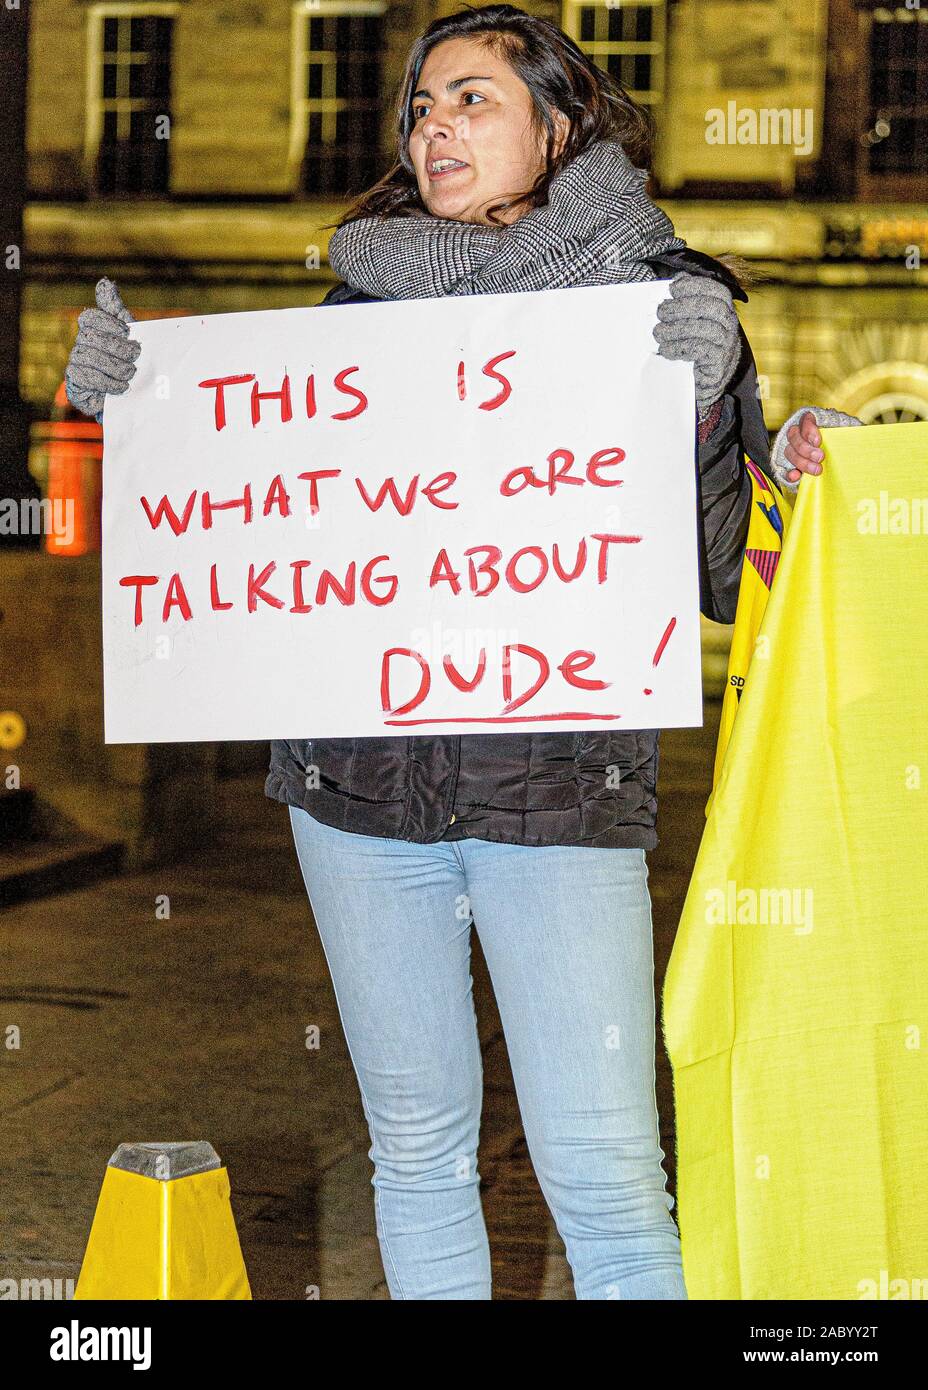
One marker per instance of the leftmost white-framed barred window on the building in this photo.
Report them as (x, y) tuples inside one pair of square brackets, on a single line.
[(130, 98)]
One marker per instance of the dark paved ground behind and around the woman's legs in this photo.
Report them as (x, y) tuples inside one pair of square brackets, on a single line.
[(135, 1028)]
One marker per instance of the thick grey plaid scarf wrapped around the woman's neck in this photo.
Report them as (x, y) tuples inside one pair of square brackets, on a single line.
[(597, 229)]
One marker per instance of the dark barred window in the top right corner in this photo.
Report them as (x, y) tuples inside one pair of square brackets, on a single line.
[(898, 138)]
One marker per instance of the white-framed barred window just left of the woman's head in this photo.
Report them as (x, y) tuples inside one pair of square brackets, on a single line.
[(337, 90)]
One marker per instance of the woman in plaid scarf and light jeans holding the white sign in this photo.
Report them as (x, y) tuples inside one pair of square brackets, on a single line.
[(517, 170)]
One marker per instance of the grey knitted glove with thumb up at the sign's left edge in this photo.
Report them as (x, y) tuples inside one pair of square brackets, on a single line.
[(103, 357)]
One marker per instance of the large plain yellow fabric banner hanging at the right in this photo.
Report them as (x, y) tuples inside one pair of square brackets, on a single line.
[(797, 997)]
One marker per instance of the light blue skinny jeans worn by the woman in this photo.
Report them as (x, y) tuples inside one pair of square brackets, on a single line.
[(567, 939)]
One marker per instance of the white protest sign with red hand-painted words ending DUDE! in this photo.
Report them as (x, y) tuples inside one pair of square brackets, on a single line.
[(466, 515)]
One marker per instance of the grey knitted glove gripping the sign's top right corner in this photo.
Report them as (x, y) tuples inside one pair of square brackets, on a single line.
[(699, 325)]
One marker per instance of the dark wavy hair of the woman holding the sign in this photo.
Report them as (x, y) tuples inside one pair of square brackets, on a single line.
[(561, 79)]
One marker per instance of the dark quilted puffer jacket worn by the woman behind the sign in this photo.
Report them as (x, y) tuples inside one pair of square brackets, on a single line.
[(574, 789)]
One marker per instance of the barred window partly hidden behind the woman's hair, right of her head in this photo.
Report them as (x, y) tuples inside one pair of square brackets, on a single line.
[(627, 41)]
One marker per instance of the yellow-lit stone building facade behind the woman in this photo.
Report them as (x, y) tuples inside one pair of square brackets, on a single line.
[(794, 133)]
